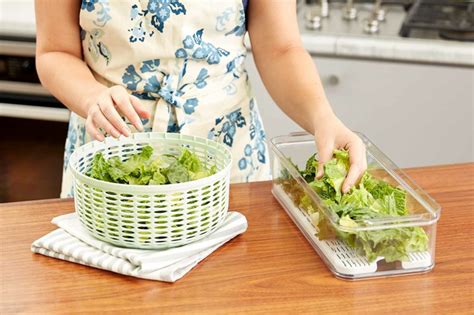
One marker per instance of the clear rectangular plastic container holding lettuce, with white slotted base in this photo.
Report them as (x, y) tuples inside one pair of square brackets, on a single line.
[(346, 250)]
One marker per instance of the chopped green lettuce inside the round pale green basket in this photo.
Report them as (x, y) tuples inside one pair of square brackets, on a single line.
[(143, 169)]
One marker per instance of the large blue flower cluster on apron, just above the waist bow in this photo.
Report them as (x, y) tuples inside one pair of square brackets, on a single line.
[(199, 49)]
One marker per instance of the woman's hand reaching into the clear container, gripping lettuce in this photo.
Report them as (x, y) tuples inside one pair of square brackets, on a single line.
[(330, 134)]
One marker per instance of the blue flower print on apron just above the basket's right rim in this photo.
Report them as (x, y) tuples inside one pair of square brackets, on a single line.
[(230, 123)]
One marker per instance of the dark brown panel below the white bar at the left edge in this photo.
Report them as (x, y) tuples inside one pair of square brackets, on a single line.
[(31, 159)]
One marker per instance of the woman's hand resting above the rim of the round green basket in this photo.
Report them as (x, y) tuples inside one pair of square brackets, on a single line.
[(105, 107)]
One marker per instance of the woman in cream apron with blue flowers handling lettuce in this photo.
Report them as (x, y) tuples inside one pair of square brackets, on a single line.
[(177, 66)]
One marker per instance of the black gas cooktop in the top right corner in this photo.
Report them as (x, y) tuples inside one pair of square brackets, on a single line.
[(443, 19)]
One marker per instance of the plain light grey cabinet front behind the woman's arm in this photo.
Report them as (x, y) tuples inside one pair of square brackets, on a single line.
[(418, 114)]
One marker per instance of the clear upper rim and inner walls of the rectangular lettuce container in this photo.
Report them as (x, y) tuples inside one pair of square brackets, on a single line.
[(423, 210)]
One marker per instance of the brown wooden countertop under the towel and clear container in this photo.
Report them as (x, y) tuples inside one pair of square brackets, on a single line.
[(269, 269)]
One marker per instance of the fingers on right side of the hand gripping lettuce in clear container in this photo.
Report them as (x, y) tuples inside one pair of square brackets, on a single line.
[(358, 162)]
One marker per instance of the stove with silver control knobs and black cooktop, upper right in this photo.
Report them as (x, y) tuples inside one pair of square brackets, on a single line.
[(419, 19)]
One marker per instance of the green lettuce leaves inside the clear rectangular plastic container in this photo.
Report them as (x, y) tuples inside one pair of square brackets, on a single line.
[(371, 198)]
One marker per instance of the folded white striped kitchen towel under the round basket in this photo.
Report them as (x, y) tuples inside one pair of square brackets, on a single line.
[(73, 243)]
